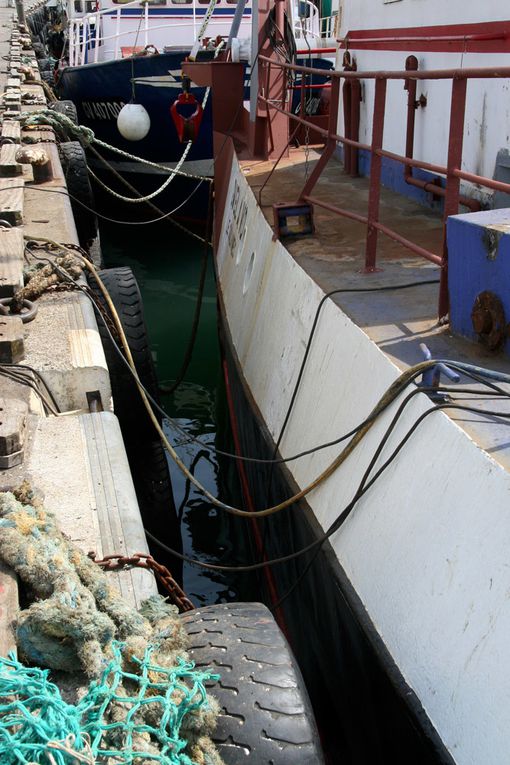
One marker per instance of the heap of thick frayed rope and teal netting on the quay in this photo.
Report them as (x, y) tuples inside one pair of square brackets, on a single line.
[(144, 702)]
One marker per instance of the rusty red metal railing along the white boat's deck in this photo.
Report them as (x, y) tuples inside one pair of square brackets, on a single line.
[(452, 170)]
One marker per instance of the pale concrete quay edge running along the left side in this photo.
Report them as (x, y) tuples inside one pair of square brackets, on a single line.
[(76, 458)]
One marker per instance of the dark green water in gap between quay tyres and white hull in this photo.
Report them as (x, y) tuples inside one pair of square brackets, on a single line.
[(167, 266)]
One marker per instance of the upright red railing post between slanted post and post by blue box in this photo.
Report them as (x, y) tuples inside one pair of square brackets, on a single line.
[(375, 175)]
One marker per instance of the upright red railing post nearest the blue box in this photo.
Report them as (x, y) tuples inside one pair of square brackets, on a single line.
[(454, 162)]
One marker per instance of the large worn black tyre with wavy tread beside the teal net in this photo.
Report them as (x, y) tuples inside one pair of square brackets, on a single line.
[(266, 718)]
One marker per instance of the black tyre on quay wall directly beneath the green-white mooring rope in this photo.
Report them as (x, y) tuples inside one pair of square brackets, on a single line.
[(74, 164)]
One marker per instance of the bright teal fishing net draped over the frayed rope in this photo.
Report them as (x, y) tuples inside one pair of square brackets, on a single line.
[(124, 717)]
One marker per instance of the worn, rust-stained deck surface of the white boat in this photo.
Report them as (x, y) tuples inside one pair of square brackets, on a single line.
[(398, 321)]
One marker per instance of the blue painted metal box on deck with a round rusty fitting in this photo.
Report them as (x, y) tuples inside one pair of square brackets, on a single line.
[(478, 260)]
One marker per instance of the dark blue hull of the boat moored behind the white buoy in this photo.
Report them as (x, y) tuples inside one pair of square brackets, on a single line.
[(100, 90)]
